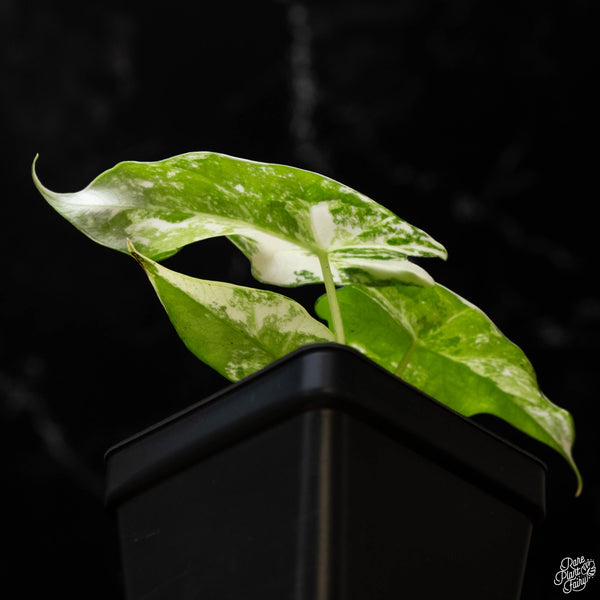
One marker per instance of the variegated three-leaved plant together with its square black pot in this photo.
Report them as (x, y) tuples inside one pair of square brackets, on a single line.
[(342, 462)]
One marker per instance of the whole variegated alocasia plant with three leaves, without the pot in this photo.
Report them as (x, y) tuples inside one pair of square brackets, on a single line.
[(297, 227)]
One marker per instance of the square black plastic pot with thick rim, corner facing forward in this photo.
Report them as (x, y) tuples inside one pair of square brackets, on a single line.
[(323, 477)]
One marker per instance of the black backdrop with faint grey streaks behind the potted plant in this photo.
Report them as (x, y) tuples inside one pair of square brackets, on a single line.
[(472, 119)]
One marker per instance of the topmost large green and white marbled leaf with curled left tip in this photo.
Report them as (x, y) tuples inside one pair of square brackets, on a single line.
[(285, 220)]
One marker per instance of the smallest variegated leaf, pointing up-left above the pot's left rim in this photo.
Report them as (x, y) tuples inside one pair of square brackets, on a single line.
[(236, 330)]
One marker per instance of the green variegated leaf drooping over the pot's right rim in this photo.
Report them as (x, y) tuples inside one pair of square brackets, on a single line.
[(447, 347)]
